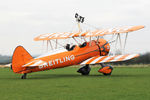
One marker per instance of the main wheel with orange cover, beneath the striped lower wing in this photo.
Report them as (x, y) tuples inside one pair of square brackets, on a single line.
[(106, 70)]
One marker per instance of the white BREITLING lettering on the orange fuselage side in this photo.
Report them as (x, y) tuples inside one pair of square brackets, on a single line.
[(57, 61)]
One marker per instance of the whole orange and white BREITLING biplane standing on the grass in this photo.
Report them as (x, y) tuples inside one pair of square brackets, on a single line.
[(84, 48)]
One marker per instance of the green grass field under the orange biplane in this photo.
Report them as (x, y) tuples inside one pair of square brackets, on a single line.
[(66, 84)]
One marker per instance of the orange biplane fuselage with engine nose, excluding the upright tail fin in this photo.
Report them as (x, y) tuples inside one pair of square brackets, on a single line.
[(66, 58)]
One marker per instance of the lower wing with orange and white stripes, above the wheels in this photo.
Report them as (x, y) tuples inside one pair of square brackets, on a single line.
[(103, 59)]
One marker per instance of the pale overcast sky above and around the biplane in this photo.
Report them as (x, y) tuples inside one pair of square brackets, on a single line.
[(22, 20)]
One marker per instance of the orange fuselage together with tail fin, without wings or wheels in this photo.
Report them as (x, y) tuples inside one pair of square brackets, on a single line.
[(59, 60)]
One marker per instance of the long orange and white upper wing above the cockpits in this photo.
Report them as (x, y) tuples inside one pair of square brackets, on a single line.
[(102, 32)]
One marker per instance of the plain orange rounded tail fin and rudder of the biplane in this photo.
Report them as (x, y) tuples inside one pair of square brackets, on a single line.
[(19, 58)]
